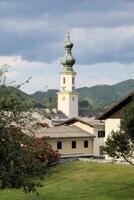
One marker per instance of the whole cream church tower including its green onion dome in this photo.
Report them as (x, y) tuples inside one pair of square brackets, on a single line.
[(67, 96)]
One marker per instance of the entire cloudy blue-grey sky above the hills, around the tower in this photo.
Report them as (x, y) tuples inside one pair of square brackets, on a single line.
[(32, 36)]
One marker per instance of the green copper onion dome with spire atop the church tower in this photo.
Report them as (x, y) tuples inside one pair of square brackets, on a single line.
[(68, 60)]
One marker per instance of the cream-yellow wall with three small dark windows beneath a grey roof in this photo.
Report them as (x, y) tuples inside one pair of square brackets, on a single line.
[(67, 146)]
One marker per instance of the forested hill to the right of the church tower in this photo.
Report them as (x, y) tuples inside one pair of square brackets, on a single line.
[(106, 94)]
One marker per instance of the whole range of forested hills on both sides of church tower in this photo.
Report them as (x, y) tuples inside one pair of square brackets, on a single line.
[(96, 97)]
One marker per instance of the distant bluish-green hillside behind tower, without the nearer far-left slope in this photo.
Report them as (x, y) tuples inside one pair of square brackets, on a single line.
[(98, 96)]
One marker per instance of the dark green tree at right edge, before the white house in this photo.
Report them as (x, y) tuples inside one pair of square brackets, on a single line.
[(120, 144)]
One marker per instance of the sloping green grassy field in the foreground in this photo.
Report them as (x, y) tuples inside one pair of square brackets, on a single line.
[(82, 181)]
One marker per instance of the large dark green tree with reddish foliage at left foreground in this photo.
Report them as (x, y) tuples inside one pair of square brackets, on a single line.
[(22, 156)]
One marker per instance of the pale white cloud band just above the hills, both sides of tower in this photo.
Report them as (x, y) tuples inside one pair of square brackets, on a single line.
[(46, 75)]
